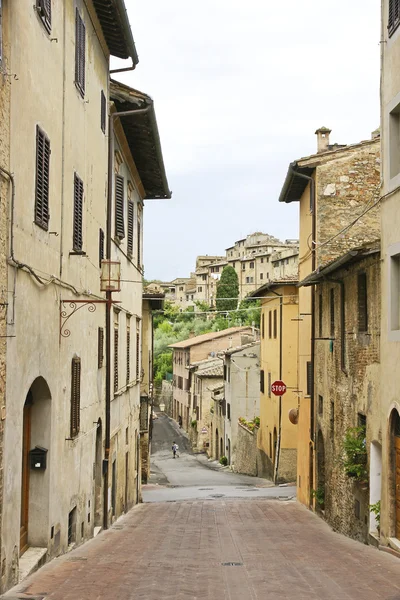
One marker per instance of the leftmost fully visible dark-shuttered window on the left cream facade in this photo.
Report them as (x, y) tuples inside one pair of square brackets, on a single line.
[(42, 179)]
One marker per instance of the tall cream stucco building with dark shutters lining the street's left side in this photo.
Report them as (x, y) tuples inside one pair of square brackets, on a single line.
[(80, 177)]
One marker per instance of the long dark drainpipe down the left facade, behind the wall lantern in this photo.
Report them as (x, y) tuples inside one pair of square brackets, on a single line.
[(109, 300)]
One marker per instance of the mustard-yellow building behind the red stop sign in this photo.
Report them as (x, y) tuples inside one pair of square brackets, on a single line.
[(277, 436)]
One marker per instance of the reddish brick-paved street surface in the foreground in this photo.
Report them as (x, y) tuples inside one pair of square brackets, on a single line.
[(218, 549)]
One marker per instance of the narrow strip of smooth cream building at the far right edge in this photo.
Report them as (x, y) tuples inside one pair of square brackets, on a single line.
[(390, 213)]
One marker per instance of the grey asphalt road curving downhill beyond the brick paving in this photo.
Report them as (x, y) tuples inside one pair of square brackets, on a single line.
[(193, 476)]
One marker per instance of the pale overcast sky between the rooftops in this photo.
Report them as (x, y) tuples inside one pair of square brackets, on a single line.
[(239, 88)]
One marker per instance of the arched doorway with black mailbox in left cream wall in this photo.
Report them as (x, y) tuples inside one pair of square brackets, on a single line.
[(36, 433)]
